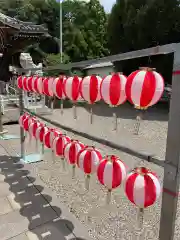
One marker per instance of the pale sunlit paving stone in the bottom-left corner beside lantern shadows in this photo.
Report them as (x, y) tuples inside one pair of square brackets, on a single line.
[(12, 224)]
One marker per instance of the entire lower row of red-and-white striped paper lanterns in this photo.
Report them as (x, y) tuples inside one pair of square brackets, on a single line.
[(142, 186)]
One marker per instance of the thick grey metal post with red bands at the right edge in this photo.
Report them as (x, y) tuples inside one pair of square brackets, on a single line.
[(172, 160)]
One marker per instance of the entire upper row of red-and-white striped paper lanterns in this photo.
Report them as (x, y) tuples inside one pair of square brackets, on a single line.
[(142, 88)]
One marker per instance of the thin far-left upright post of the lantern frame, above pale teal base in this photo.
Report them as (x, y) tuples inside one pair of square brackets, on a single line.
[(22, 135)]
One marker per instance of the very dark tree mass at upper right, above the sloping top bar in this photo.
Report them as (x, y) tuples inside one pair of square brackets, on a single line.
[(143, 23)]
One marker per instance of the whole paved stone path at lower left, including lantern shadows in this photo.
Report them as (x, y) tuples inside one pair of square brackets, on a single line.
[(28, 210)]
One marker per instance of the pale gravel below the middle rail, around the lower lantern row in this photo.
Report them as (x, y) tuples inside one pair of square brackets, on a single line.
[(116, 221)]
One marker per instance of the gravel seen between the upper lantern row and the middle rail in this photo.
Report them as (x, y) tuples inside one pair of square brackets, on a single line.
[(153, 129)]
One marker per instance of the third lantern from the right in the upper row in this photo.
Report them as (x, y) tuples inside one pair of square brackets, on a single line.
[(90, 89)]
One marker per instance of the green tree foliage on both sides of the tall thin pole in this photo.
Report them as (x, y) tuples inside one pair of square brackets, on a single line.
[(84, 25)]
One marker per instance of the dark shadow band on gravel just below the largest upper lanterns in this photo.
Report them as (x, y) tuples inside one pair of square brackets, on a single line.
[(159, 112)]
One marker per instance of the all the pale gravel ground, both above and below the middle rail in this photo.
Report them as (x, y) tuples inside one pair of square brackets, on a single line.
[(119, 219)]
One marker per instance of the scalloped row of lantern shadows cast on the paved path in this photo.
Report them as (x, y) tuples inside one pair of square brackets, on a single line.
[(45, 221)]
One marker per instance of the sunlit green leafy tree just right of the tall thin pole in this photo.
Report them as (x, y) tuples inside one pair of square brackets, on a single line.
[(84, 28)]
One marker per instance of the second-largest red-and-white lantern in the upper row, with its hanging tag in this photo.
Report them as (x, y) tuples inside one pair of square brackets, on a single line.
[(112, 91)]
